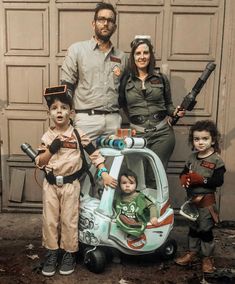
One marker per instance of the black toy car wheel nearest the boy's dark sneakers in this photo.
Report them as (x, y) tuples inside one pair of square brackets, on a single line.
[(95, 260)]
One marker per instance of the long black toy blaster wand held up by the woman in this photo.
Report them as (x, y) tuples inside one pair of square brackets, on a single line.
[(189, 101)]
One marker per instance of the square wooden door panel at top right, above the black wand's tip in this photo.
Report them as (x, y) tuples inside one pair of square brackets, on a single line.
[(193, 34)]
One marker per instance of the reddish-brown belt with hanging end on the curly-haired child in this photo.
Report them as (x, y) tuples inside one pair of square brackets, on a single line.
[(206, 201)]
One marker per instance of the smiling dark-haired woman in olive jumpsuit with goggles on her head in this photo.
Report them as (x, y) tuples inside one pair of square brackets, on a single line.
[(145, 96)]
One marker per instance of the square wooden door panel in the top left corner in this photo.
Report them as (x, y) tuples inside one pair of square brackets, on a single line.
[(27, 31)]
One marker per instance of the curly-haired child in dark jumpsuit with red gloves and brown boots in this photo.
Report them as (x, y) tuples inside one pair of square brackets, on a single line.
[(203, 172)]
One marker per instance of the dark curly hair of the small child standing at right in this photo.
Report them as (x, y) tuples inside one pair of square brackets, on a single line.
[(209, 126)]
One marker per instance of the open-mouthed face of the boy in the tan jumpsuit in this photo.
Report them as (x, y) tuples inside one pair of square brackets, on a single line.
[(60, 114)]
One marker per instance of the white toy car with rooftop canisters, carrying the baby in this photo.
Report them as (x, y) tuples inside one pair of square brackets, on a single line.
[(98, 229)]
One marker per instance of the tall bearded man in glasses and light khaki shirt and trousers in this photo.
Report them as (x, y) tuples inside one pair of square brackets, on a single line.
[(92, 70)]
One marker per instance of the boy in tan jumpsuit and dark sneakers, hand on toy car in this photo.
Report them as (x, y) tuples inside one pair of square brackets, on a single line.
[(60, 158)]
